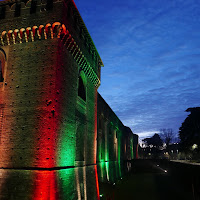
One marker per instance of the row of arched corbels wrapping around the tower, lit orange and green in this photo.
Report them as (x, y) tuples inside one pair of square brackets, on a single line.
[(48, 31)]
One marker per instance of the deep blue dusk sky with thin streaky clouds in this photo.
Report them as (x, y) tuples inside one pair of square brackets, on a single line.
[(151, 53)]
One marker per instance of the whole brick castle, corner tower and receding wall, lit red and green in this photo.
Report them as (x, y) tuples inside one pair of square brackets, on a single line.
[(53, 122)]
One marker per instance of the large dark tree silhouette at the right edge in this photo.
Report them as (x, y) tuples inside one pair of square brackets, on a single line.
[(189, 132)]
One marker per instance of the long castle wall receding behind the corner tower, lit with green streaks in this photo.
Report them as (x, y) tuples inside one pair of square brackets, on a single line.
[(115, 142)]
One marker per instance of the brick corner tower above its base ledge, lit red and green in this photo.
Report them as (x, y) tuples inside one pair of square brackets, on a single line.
[(50, 72)]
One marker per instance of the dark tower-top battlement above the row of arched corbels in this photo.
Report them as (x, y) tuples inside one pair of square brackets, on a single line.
[(27, 10)]
